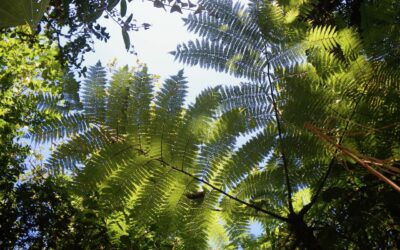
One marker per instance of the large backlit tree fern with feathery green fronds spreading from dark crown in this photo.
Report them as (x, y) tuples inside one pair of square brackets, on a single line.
[(176, 166)]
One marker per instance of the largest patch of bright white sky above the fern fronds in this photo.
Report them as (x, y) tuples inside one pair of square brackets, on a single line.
[(153, 47)]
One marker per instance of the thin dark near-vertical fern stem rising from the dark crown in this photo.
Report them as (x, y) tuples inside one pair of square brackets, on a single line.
[(282, 150)]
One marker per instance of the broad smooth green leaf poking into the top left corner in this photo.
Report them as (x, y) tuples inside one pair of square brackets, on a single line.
[(20, 12)]
